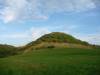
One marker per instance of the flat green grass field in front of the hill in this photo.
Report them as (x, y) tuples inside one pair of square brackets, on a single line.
[(53, 62)]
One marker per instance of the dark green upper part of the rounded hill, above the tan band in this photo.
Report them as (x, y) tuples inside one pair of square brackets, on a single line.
[(59, 37)]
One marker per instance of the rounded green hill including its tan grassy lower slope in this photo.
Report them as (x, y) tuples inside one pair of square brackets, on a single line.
[(57, 39)]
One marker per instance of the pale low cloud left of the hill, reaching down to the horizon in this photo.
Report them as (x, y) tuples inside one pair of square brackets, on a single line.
[(25, 37)]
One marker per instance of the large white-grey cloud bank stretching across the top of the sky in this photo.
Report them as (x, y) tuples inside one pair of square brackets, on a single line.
[(11, 10)]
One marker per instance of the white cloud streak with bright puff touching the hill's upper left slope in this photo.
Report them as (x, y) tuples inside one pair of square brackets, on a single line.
[(33, 33)]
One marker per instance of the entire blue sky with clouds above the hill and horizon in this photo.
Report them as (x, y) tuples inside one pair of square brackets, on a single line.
[(23, 21)]
